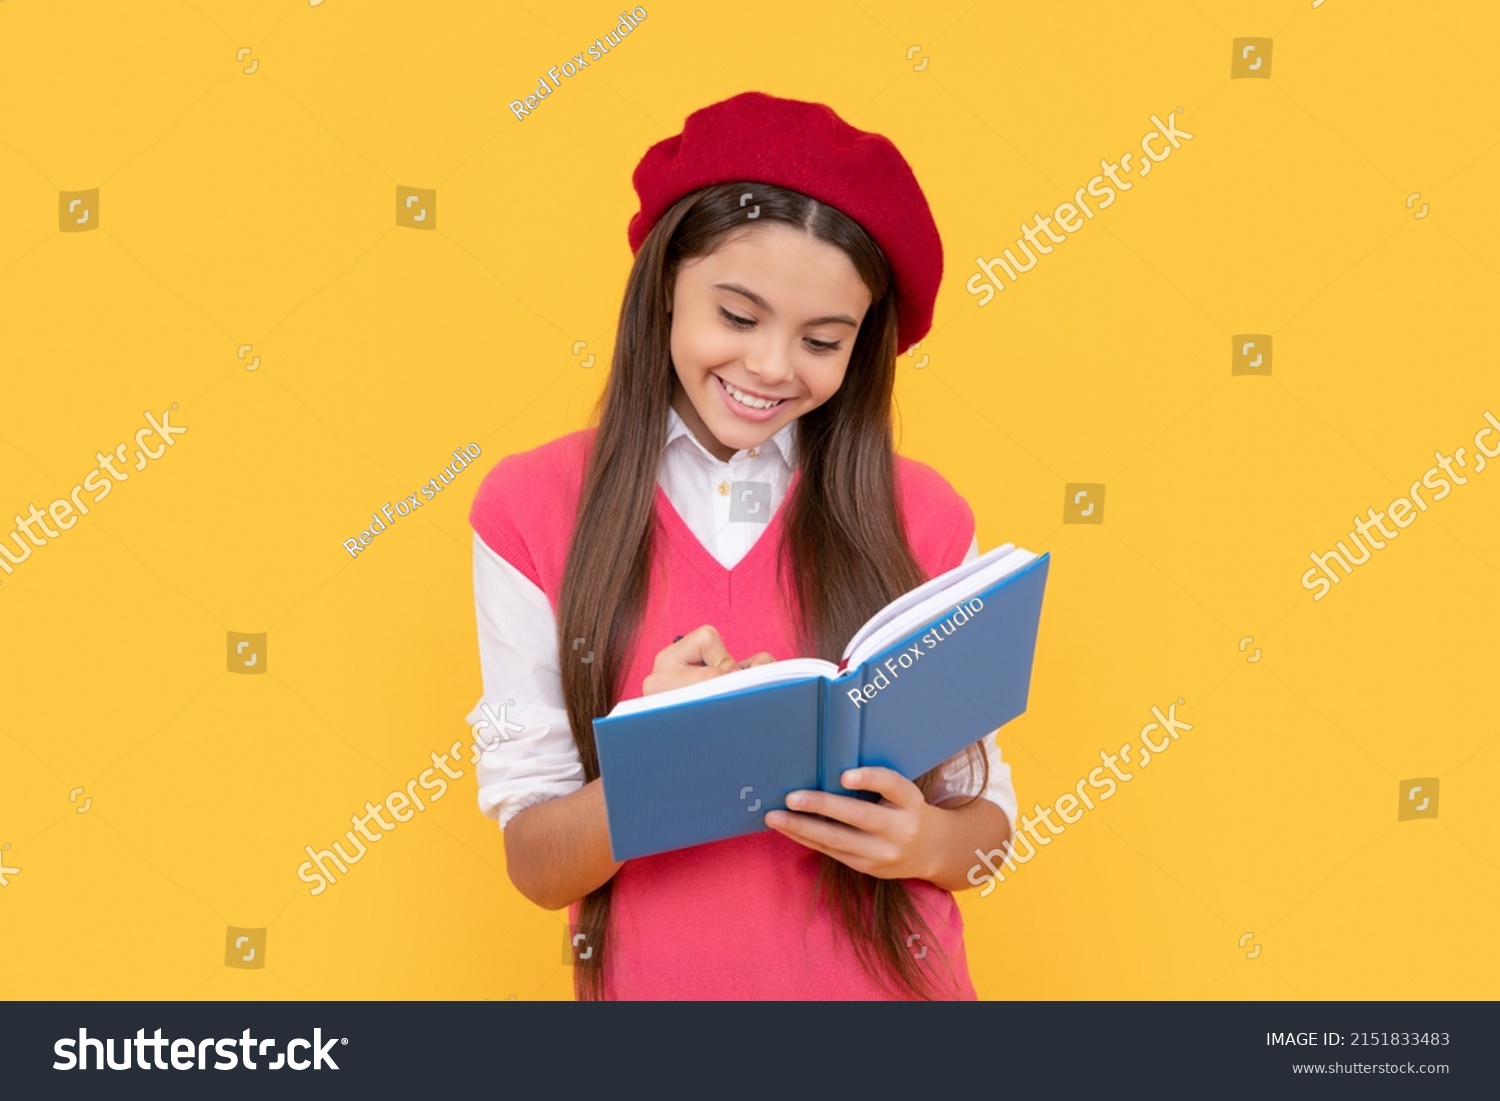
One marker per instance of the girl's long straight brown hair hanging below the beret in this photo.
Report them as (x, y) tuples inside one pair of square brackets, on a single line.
[(844, 532)]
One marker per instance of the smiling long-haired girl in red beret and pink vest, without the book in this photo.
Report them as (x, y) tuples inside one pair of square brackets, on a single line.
[(739, 496)]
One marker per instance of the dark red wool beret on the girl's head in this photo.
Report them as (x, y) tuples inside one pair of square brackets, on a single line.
[(809, 149)]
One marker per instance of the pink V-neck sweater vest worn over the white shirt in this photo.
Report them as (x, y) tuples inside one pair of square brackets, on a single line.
[(737, 919)]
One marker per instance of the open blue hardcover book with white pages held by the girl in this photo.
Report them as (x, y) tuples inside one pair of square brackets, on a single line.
[(931, 674)]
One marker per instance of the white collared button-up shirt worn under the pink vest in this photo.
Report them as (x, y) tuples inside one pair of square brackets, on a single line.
[(520, 664)]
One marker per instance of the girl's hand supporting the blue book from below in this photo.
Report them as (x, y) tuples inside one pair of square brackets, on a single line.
[(892, 839)]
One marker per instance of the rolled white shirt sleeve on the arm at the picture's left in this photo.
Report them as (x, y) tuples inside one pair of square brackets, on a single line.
[(526, 752)]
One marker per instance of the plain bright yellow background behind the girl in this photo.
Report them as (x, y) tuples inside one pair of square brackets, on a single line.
[(257, 208)]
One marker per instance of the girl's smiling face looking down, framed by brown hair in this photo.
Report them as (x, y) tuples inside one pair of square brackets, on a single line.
[(763, 329)]
